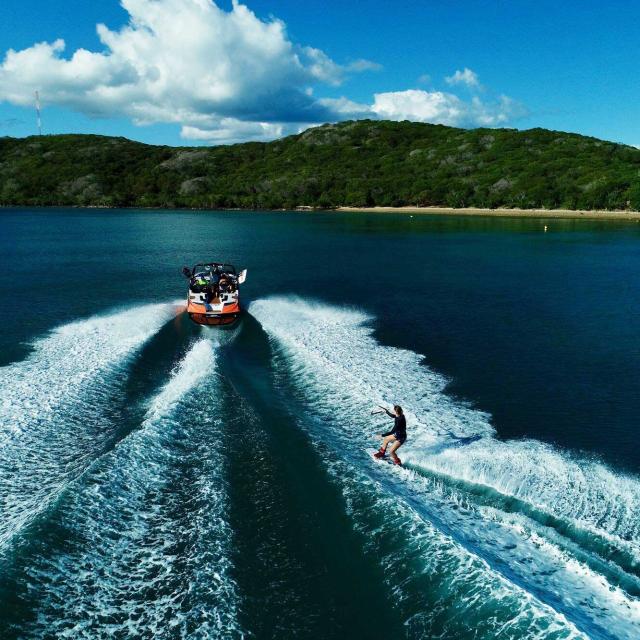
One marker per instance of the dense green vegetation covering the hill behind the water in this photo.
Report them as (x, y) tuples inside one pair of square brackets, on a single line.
[(361, 163)]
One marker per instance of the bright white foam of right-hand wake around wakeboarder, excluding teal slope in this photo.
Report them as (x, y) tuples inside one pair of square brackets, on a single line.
[(341, 371)]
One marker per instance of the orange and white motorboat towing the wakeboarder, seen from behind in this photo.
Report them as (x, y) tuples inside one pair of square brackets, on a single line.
[(213, 298)]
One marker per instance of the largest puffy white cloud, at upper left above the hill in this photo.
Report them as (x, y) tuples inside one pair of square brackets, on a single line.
[(182, 61)]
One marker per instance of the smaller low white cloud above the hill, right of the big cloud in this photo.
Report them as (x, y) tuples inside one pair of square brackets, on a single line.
[(439, 107)]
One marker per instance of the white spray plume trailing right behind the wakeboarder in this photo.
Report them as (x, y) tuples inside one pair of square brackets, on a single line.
[(587, 493)]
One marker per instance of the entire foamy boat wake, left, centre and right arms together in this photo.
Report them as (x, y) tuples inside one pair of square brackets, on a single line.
[(119, 531)]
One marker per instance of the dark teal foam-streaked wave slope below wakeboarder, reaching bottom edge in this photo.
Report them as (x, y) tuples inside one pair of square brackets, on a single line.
[(439, 588)]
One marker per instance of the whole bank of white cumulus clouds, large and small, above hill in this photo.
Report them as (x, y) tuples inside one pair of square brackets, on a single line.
[(222, 76)]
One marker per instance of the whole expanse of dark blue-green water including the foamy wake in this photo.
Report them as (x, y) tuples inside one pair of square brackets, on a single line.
[(161, 480)]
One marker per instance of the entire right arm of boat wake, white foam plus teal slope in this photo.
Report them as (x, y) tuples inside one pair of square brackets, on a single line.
[(555, 533)]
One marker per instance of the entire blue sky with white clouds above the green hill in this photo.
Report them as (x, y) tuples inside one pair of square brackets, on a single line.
[(190, 72)]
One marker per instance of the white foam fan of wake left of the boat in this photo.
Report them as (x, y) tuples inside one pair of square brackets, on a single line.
[(53, 406)]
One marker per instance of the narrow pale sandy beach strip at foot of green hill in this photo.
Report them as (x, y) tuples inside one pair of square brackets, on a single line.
[(502, 213)]
